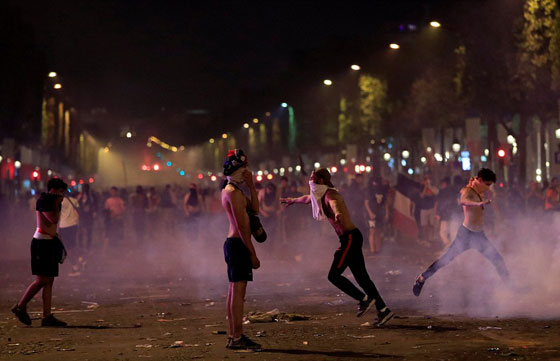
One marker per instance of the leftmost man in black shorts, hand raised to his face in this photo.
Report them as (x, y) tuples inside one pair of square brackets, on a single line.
[(46, 253)]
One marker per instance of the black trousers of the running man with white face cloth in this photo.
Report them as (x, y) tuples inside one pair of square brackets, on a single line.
[(350, 255)]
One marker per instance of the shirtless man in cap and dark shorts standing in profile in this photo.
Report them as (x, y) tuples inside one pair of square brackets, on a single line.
[(240, 255)]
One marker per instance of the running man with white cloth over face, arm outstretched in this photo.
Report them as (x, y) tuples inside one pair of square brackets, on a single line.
[(327, 203)]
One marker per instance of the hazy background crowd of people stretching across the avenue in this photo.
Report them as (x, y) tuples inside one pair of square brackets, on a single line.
[(134, 215)]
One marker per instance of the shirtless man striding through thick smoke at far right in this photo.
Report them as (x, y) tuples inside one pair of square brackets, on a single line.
[(471, 233)]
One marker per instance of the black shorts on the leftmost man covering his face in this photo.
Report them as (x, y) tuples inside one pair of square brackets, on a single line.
[(44, 257)]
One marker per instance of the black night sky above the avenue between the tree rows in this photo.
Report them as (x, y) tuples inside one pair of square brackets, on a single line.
[(236, 58)]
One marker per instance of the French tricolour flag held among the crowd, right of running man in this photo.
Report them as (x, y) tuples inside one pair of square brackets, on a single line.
[(406, 195)]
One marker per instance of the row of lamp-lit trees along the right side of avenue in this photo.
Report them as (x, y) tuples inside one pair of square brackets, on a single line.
[(498, 59)]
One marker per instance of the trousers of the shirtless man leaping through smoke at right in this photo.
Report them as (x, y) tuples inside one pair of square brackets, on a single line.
[(465, 240)]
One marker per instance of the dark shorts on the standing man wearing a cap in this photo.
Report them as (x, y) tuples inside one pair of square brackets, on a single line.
[(238, 259)]
